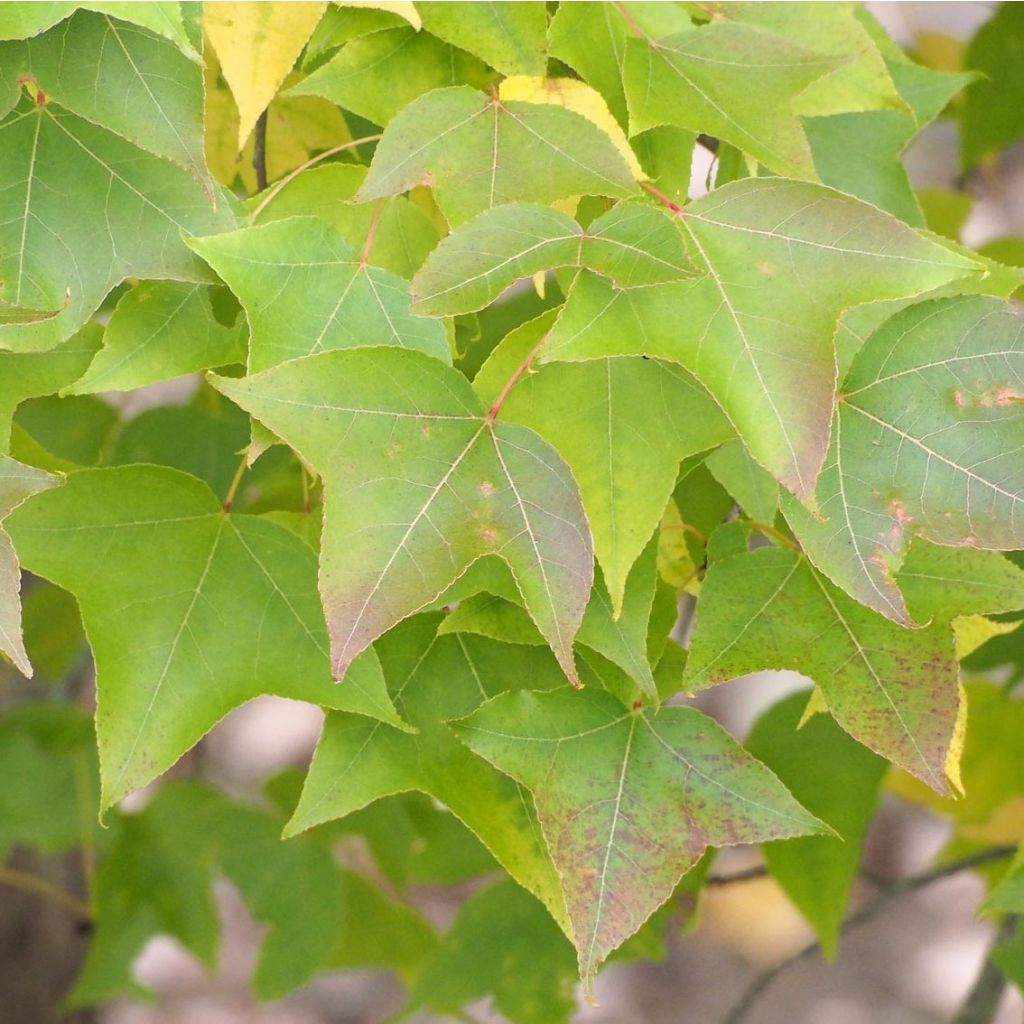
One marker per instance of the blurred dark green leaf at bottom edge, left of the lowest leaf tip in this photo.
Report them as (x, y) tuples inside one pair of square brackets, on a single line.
[(502, 946)]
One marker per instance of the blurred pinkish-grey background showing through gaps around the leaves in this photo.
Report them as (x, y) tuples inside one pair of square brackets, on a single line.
[(912, 964)]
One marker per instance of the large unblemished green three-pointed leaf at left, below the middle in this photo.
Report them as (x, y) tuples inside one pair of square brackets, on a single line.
[(234, 612)]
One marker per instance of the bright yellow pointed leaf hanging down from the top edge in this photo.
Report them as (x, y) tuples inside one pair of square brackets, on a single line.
[(258, 46)]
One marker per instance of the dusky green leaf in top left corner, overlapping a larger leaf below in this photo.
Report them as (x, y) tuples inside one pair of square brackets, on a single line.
[(158, 104)]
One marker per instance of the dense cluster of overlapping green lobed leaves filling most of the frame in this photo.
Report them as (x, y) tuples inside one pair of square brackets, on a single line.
[(506, 398)]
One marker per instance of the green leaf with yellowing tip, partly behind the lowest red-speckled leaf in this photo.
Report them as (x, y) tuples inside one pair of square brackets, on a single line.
[(433, 679)]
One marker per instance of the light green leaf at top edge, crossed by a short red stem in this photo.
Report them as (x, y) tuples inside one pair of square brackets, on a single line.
[(591, 38)]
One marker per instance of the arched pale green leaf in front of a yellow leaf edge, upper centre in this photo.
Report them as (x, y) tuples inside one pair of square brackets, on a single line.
[(477, 152)]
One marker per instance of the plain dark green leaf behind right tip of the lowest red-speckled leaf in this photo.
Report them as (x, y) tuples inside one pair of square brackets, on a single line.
[(835, 779)]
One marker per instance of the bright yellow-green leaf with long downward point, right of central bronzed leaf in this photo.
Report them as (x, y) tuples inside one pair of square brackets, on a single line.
[(632, 422)]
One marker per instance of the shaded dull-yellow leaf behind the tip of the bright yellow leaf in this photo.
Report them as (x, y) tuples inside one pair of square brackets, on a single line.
[(296, 129)]
